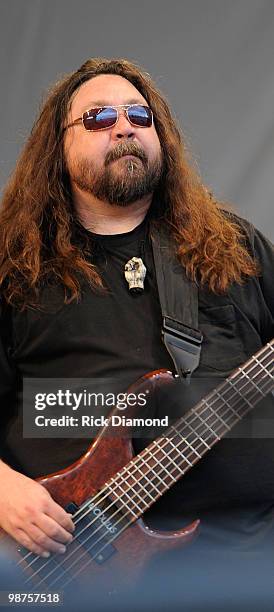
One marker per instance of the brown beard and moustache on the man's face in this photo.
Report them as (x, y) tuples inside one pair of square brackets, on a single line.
[(122, 180)]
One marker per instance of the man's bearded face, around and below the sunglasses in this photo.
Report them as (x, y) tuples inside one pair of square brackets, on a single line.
[(99, 162)]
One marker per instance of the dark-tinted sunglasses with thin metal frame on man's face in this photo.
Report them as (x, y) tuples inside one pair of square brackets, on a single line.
[(104, 117)]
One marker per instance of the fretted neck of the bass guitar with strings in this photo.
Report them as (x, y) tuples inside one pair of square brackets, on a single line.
[(151, 473)]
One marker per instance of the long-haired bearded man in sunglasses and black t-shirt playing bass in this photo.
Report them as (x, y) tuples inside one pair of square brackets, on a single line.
[(105, 164)]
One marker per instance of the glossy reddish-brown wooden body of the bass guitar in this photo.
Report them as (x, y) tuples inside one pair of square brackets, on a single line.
[(134, 545)]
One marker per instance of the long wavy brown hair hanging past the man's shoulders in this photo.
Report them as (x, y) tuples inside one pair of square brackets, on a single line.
[(37, 214)]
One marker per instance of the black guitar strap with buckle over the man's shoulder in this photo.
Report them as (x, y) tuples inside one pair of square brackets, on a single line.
[(179, 303)]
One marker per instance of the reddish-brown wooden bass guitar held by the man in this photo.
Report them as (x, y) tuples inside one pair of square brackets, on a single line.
[(109, 489)]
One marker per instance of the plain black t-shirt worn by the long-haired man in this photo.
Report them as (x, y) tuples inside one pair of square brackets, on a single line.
[(118, 334)]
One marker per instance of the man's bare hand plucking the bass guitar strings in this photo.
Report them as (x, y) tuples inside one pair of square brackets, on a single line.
[(30, 515)]
